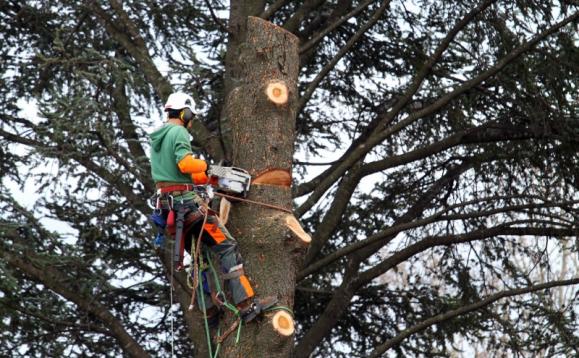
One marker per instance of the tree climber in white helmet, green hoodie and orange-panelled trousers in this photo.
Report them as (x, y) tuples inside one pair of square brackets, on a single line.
[(183, 196)]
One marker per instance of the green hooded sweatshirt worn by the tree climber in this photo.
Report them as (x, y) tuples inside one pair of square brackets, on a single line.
[(169, 144)]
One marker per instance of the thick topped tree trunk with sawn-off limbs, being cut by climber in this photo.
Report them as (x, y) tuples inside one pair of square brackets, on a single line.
[(263, 133)]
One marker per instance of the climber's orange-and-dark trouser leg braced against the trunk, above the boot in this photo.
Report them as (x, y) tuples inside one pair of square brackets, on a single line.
[(225, 247)]
